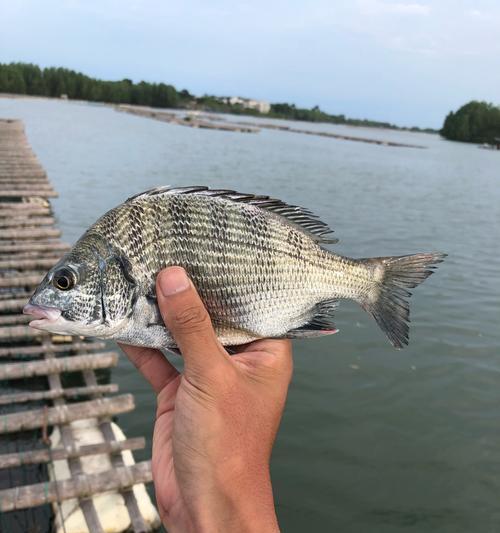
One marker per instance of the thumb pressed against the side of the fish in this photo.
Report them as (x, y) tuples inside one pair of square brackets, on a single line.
[(188, 321)]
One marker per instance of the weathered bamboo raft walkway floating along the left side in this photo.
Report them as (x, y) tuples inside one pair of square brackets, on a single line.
[(35, 368)]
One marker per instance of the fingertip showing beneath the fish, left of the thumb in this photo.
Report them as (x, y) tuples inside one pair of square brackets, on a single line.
[(152, 364)]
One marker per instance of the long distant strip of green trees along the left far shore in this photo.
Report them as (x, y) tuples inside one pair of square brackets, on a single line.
[(26, 78)]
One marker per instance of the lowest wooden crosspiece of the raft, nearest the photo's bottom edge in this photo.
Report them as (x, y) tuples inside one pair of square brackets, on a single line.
[(81, 486)]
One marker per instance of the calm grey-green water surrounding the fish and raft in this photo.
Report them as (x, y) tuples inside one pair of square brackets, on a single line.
[(372, 439)]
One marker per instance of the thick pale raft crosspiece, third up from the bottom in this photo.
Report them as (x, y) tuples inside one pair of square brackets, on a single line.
[(64, 414)]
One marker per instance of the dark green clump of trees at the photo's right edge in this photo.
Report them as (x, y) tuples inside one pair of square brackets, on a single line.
[(477, 122)]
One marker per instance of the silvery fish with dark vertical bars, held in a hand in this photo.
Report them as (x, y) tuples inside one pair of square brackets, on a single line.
[(260, 265)]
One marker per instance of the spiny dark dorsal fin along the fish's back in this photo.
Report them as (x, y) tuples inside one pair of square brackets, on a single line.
[(298, 216)]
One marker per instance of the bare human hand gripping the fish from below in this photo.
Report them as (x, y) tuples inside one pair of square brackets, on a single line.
[(216, 422)]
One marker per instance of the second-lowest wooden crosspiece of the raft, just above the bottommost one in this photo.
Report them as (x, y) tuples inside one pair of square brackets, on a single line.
[(32, 457)]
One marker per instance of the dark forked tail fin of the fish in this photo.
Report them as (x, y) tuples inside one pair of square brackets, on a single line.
[(388, 301)]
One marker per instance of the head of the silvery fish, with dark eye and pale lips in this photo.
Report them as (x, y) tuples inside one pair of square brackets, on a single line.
[(88, 292)]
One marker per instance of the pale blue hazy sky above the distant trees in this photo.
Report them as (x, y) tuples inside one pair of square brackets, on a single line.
[(406, 62)]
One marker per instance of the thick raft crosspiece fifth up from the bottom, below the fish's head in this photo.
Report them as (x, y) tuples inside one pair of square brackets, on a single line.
[(71, 363)]
